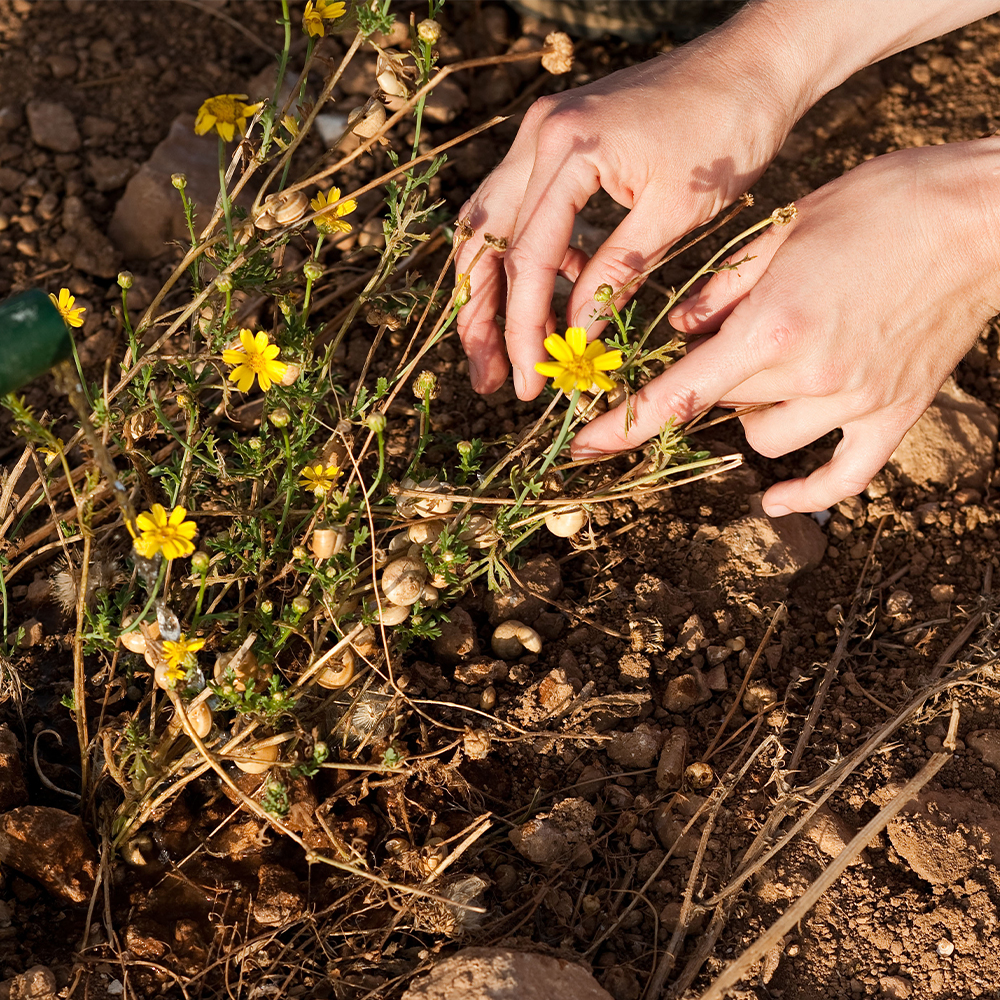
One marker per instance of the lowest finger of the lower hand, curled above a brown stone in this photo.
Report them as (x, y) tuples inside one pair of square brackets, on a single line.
[(864, 449)]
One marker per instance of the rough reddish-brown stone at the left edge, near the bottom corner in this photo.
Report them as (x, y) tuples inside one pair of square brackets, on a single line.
[(50, 846)]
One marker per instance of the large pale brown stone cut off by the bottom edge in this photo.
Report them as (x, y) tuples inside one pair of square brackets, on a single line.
[(505, 974)]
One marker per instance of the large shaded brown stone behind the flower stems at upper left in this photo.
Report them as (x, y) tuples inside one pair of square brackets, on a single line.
[(149, 215)]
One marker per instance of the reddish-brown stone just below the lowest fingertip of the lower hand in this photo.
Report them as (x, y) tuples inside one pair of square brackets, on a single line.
[(779, 549)]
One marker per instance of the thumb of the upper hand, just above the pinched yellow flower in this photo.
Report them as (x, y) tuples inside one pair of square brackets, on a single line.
[(641, 238)]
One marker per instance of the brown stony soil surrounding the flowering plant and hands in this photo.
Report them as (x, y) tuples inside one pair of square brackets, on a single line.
[(214, 903)]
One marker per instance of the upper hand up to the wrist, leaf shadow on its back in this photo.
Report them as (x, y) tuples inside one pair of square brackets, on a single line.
[(674, 140)]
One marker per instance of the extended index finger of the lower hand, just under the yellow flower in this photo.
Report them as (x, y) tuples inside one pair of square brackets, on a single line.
[(687, 388)]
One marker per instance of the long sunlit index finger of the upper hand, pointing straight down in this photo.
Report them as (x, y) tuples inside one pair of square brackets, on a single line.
[(558, 188)]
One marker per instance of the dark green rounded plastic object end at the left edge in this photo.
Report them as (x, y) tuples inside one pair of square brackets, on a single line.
[(33, 337)]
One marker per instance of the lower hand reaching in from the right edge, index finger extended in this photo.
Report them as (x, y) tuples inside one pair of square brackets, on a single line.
[(850, 316)]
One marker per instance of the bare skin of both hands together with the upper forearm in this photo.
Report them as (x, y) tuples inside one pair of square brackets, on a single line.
[(851, 316)]
